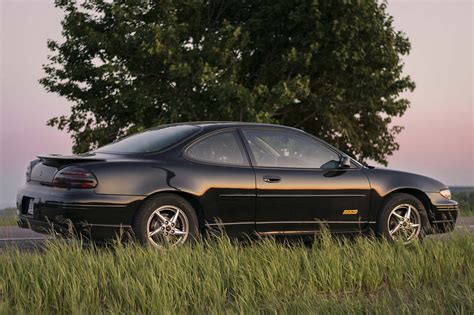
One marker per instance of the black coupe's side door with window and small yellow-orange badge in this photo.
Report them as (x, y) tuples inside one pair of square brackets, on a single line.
[(300, 184)]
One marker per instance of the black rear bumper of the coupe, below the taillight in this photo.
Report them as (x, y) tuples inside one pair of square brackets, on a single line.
[(75, 211)]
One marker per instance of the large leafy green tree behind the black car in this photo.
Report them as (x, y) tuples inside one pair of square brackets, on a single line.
[(332, 68)]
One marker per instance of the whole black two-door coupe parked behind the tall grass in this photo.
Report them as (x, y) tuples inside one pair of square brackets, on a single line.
[(171, 183)]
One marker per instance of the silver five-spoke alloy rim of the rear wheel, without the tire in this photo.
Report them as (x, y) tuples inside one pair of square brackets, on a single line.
[(167, 225)]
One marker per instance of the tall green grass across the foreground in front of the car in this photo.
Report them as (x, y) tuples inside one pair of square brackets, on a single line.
[(218, 276)]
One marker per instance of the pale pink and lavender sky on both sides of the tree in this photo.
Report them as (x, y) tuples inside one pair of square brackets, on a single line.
[(438, 139)]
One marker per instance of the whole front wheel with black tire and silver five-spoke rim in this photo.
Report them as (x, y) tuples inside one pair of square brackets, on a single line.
[(402, 219)]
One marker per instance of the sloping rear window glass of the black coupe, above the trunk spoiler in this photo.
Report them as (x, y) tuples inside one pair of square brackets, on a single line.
[(151, 140)]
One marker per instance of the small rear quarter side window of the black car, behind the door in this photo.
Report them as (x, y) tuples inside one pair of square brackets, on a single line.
[(222, 148)]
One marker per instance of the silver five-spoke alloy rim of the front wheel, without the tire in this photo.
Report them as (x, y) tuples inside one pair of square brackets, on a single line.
[(404, 223)]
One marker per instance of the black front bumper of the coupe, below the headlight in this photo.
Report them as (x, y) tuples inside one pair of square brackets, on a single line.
[(444, 213)]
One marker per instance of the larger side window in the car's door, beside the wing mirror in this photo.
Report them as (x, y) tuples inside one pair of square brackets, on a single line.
[(274, 148)]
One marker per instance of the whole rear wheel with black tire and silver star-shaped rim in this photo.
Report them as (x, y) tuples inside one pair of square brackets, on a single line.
[(165, 220)]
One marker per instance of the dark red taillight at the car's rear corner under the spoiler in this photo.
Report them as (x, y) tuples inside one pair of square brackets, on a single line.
[(74, 177)]
